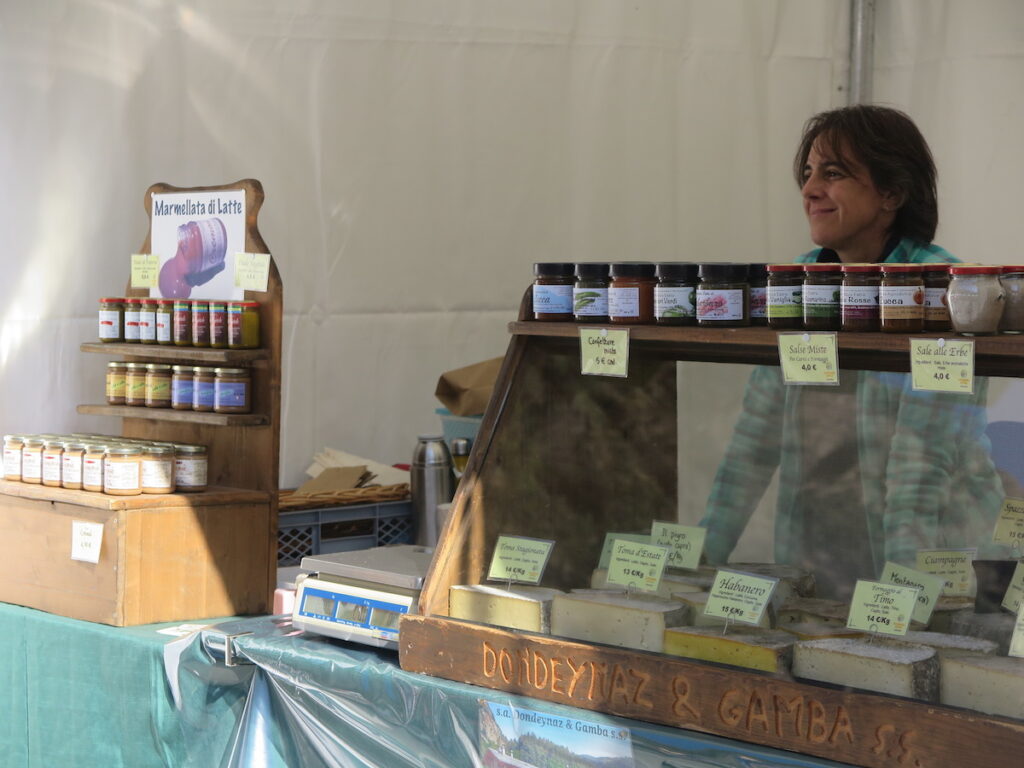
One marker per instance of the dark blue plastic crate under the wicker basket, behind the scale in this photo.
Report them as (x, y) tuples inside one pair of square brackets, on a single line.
[(317, 532)]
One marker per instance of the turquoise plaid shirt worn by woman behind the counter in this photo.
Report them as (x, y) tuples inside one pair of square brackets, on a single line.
[(926, 472)]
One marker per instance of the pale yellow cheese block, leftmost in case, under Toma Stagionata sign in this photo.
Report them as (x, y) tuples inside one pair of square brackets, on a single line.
[(521, 608)]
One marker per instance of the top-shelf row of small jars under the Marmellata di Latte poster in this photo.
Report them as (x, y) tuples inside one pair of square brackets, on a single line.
[(232, 325)]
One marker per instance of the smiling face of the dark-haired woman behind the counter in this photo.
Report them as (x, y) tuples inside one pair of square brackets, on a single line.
[(845, 210)]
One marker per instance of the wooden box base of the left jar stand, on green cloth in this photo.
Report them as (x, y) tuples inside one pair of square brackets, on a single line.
[(164, 559)]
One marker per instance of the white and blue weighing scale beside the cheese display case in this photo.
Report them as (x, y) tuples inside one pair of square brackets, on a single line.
[(360, 596)]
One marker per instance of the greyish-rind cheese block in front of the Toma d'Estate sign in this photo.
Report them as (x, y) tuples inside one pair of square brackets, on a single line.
[(629, 621)]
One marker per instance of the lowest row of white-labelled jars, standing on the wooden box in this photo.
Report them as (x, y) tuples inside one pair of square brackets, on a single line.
[(117, 466)]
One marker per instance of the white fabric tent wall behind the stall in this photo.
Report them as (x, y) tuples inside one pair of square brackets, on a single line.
[(418, 156)]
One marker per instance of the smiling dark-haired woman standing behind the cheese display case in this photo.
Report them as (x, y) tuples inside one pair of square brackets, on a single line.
[(871, 471)]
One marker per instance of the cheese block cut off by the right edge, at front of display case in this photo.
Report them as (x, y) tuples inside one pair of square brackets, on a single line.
[(991, 685)]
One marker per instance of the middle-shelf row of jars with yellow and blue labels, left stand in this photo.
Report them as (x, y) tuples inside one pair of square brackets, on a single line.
[(223, 391)]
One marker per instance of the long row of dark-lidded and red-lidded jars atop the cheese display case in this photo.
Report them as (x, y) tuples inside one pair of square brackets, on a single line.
[(893, 297)]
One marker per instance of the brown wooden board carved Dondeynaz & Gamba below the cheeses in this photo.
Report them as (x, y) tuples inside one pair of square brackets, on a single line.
[(849, 728)]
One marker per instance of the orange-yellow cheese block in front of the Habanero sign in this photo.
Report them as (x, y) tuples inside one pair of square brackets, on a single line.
[(769, 651)]
